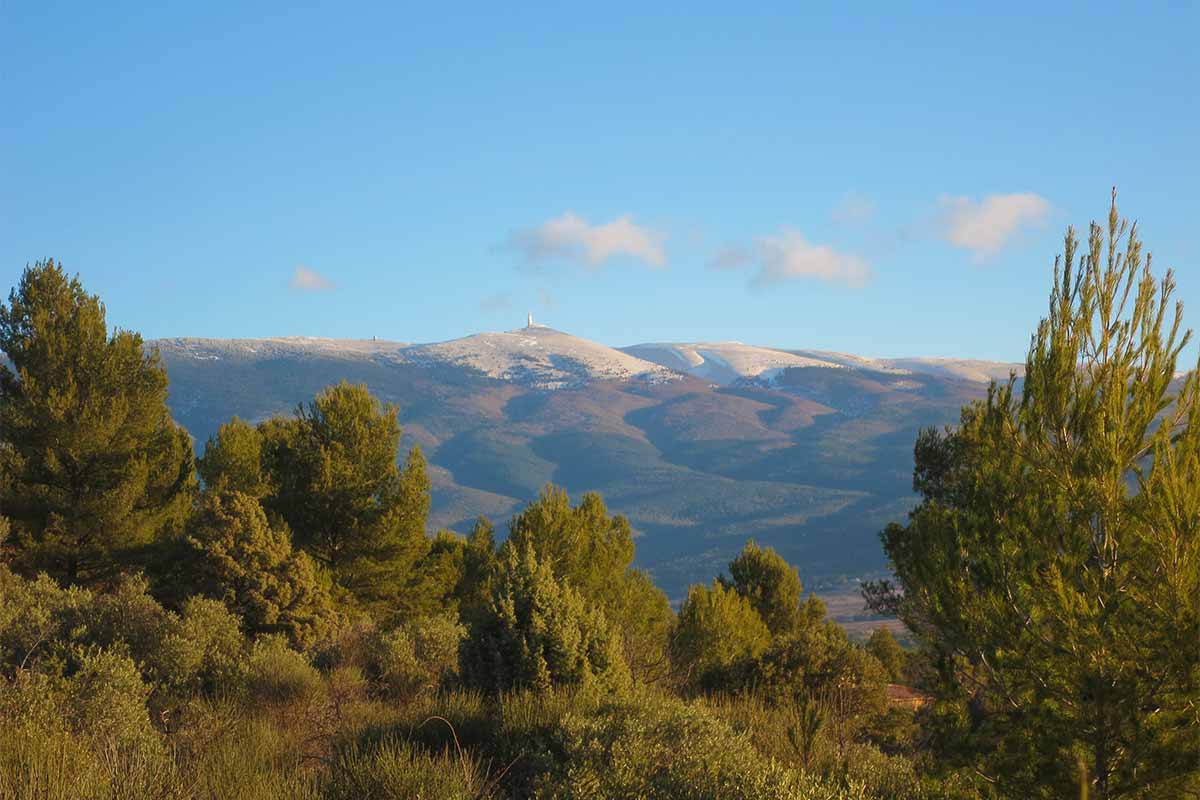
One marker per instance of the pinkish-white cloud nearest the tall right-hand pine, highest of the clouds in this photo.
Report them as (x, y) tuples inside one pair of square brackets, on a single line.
[(987, 226)]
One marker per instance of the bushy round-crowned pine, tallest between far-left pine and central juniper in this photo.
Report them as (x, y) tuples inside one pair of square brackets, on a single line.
[(332, 476)]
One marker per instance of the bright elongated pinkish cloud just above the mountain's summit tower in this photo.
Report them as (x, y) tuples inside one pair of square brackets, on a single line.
[(571, 238)]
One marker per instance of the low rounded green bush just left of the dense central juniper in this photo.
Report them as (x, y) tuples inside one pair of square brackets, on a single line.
[(417, 657)]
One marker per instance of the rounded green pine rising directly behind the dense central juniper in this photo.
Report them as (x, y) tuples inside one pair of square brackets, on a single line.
[(595, 552)]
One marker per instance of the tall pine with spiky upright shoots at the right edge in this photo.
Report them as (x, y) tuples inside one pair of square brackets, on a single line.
[(1052, 572)]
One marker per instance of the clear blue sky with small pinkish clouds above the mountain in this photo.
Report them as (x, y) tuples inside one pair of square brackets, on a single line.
[(865, 179)]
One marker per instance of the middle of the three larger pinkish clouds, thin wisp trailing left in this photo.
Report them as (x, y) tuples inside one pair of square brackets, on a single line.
[(789, 255)]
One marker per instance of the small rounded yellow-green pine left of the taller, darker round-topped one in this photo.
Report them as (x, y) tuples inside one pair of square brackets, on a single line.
[(717, 630)]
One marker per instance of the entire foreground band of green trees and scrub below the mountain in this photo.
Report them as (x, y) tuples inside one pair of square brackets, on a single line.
[(273, 619)]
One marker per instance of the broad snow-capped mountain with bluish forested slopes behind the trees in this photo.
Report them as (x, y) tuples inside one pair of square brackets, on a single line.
[(701, 446)]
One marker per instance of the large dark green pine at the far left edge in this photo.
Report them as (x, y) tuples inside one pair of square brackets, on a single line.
[(92, 465)]
